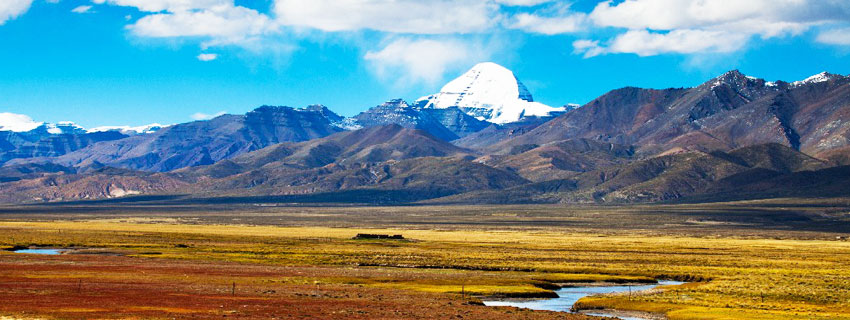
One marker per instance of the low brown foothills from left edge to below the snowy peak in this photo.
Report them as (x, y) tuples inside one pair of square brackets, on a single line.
[(385, 160)]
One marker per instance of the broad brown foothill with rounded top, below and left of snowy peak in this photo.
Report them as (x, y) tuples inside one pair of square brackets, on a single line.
[(382, 158)]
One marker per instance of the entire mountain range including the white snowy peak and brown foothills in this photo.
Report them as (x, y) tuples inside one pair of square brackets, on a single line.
[(481, 139)]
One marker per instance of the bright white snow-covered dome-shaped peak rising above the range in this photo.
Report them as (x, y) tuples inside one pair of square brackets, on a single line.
[(491, 93)]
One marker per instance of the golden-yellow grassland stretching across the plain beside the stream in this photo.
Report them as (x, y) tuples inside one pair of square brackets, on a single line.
[(730, 278)]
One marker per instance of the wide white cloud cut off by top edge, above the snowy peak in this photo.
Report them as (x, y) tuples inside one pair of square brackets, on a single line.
[(395, 16)]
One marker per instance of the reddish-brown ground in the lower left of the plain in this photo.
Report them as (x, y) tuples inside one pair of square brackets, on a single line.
[(109, 287)]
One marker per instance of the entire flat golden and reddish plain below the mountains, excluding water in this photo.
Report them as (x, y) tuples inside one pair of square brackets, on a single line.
[(754, 260)]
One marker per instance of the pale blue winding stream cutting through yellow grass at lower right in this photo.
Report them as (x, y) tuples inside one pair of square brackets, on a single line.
[(570, 295)]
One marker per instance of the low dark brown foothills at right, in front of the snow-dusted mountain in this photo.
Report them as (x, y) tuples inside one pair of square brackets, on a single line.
[(737, 174)]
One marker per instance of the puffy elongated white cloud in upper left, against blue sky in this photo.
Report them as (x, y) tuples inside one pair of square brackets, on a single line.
[(222, 24)]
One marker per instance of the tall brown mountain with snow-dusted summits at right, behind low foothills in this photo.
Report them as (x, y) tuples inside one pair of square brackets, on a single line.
[(730, 111)]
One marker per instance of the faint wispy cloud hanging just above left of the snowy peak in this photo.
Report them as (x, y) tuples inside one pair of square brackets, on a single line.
[(424, 60)]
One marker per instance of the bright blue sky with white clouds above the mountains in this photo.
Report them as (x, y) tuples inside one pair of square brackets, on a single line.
[(133, 62)]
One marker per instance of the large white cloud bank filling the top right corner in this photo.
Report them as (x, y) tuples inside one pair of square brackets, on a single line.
[(694, 26)]
